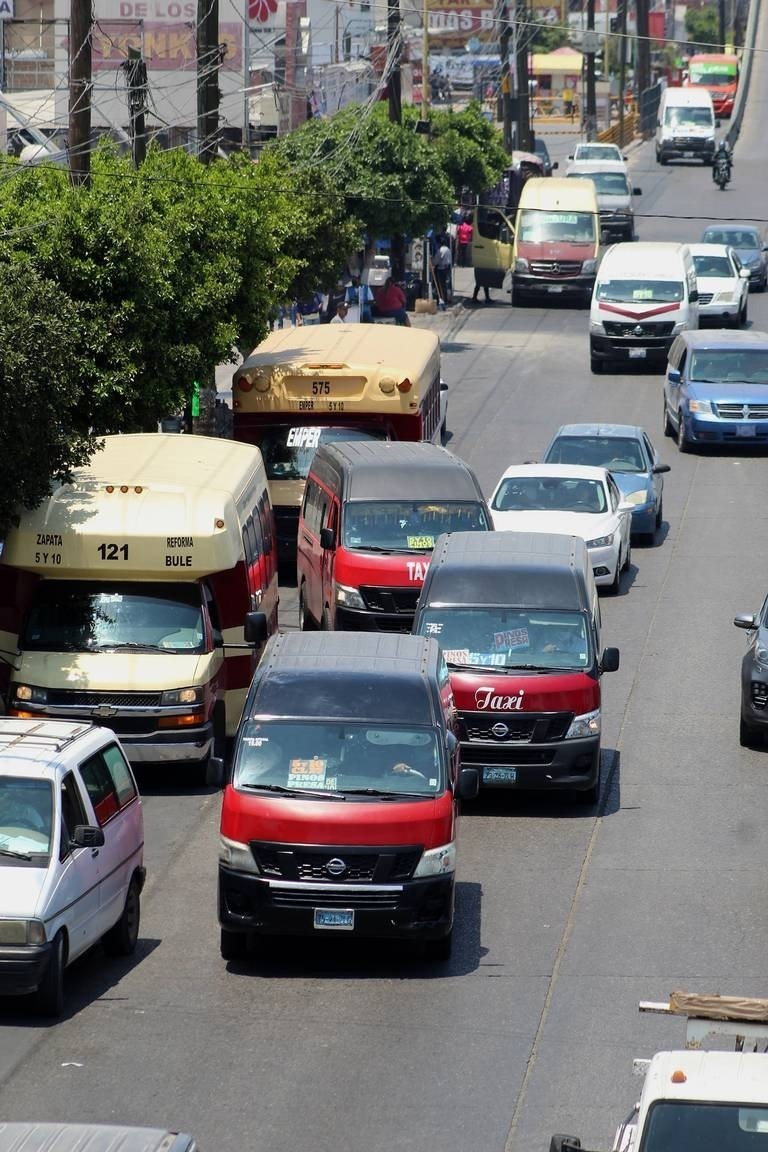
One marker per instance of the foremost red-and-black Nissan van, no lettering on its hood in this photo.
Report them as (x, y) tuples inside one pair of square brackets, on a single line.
[(341, 815)]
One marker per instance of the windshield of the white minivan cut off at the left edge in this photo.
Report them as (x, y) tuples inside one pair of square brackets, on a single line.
[(26, 822)]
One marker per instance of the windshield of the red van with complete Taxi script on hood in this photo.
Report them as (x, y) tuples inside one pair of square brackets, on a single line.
[(491, 638)]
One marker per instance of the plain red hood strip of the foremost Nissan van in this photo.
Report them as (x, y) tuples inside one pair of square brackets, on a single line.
[(287, 821)]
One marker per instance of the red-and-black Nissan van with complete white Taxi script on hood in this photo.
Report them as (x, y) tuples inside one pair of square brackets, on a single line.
[(519, 620)]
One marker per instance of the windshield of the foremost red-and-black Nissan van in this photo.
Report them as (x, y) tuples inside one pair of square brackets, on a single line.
[(322, 757)]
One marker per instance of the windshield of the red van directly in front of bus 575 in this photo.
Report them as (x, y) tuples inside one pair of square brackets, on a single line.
[(408, 526)]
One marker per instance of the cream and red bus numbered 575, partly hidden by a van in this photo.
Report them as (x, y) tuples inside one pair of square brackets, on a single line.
[(309, 385)]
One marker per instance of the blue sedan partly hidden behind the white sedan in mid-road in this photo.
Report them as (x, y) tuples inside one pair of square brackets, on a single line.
[(632, 459)]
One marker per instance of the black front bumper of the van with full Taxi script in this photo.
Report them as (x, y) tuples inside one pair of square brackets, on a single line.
[(573, 764)]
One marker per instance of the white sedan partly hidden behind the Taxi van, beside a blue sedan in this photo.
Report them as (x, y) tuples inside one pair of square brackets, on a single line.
[(574, 501)]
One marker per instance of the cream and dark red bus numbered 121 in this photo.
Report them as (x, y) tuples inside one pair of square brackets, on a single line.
[(120, 593)]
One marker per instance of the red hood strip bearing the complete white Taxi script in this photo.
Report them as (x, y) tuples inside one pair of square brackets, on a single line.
[(488, 692)]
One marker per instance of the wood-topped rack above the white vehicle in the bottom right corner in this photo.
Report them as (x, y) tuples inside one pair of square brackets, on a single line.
[(741, 1019)]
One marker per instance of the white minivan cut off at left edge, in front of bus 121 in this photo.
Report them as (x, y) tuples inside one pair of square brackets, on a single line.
[(72, 853)]
